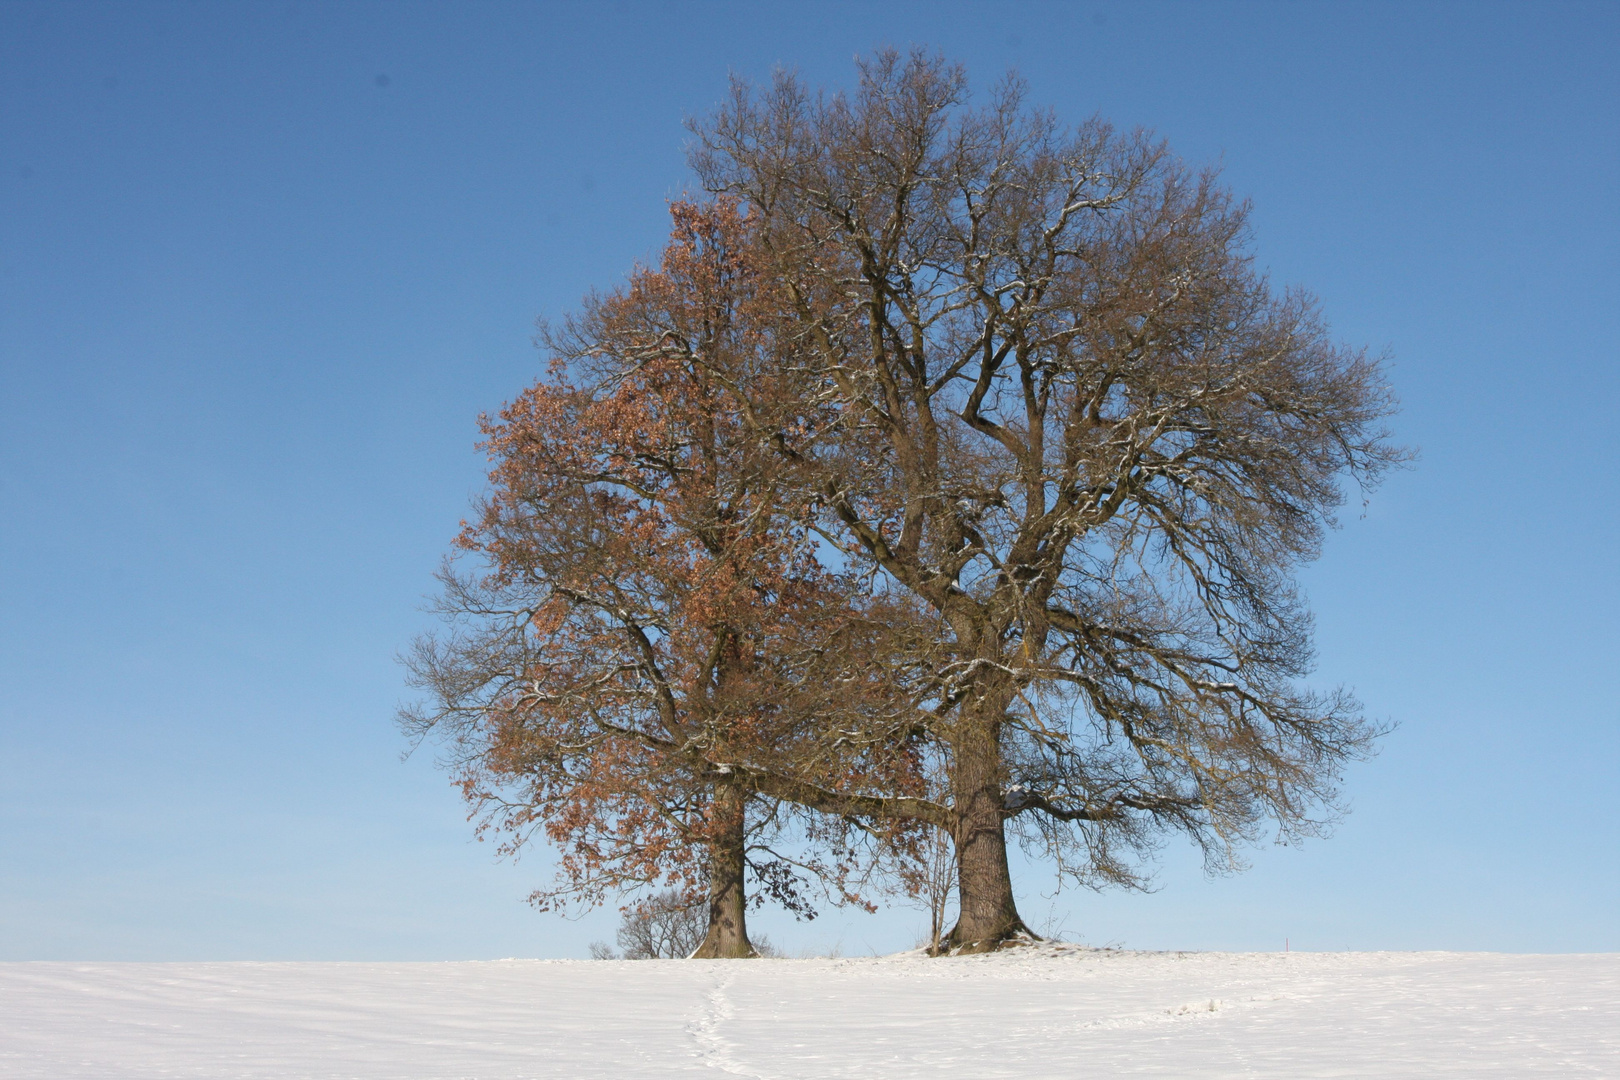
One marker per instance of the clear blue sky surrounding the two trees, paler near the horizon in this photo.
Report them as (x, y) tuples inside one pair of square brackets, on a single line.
[(263, 265)]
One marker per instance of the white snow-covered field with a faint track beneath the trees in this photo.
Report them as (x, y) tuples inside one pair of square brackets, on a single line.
[(1049, 1011)]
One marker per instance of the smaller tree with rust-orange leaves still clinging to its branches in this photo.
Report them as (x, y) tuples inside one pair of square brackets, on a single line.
[(654, 624)]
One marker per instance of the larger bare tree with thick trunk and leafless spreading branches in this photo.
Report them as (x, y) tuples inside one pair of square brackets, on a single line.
[(1060, 410)]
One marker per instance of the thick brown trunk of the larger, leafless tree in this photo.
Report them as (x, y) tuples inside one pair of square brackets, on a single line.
[(987, 911)]
